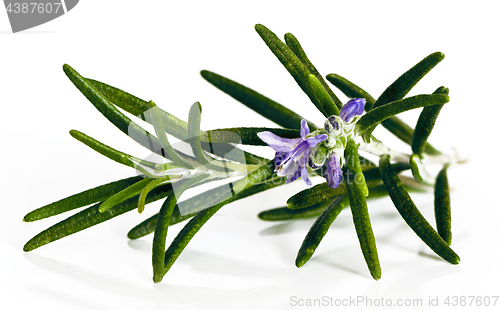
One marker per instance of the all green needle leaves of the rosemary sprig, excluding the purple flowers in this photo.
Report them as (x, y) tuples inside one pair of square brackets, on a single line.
[(368, 180)]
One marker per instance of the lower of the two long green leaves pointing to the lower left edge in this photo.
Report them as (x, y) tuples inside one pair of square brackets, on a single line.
[(90, 217)]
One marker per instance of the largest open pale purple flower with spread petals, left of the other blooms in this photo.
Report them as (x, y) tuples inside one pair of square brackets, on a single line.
[(292, 154)]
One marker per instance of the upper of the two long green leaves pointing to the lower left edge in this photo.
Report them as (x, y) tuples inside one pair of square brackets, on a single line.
[(82, 199)]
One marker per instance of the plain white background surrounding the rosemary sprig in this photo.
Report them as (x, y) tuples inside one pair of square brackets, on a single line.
[(155, 50)]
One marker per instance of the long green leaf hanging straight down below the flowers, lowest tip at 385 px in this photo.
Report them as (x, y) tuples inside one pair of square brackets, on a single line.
[(357, 191)]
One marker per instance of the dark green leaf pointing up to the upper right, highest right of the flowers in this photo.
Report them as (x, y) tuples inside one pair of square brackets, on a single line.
[(410, 78)]
